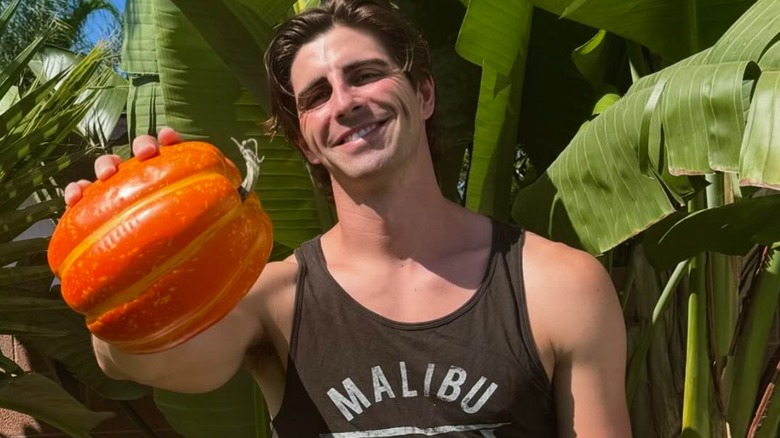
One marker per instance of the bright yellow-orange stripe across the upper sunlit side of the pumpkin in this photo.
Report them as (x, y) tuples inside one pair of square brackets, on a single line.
[(95, 236)]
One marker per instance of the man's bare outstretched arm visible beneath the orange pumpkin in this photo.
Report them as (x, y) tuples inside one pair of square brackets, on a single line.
[(261, 319)]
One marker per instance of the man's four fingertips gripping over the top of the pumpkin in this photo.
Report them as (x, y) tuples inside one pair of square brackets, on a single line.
[(144, 146)]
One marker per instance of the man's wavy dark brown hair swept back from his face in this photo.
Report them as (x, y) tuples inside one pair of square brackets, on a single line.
[(381, 18)]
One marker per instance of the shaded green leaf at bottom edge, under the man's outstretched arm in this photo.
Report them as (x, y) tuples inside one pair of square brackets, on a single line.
[(235, 410)]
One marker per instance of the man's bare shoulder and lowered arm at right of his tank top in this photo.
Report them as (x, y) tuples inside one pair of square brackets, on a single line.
[(581, 325)]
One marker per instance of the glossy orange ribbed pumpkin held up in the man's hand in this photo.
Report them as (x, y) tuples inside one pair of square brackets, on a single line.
[(161, 250)]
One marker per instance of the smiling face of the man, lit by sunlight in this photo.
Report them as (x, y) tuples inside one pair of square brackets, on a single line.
[(358, 113)]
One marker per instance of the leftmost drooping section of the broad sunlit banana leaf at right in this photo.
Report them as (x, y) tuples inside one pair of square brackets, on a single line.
[(594, 196)]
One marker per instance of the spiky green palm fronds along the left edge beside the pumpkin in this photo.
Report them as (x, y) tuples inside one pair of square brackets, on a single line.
[(37, 126)]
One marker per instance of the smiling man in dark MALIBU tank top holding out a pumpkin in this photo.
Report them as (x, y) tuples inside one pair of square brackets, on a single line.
[(412, 316)]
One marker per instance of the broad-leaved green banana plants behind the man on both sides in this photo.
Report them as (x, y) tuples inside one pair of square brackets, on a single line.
[(646, 128)]
